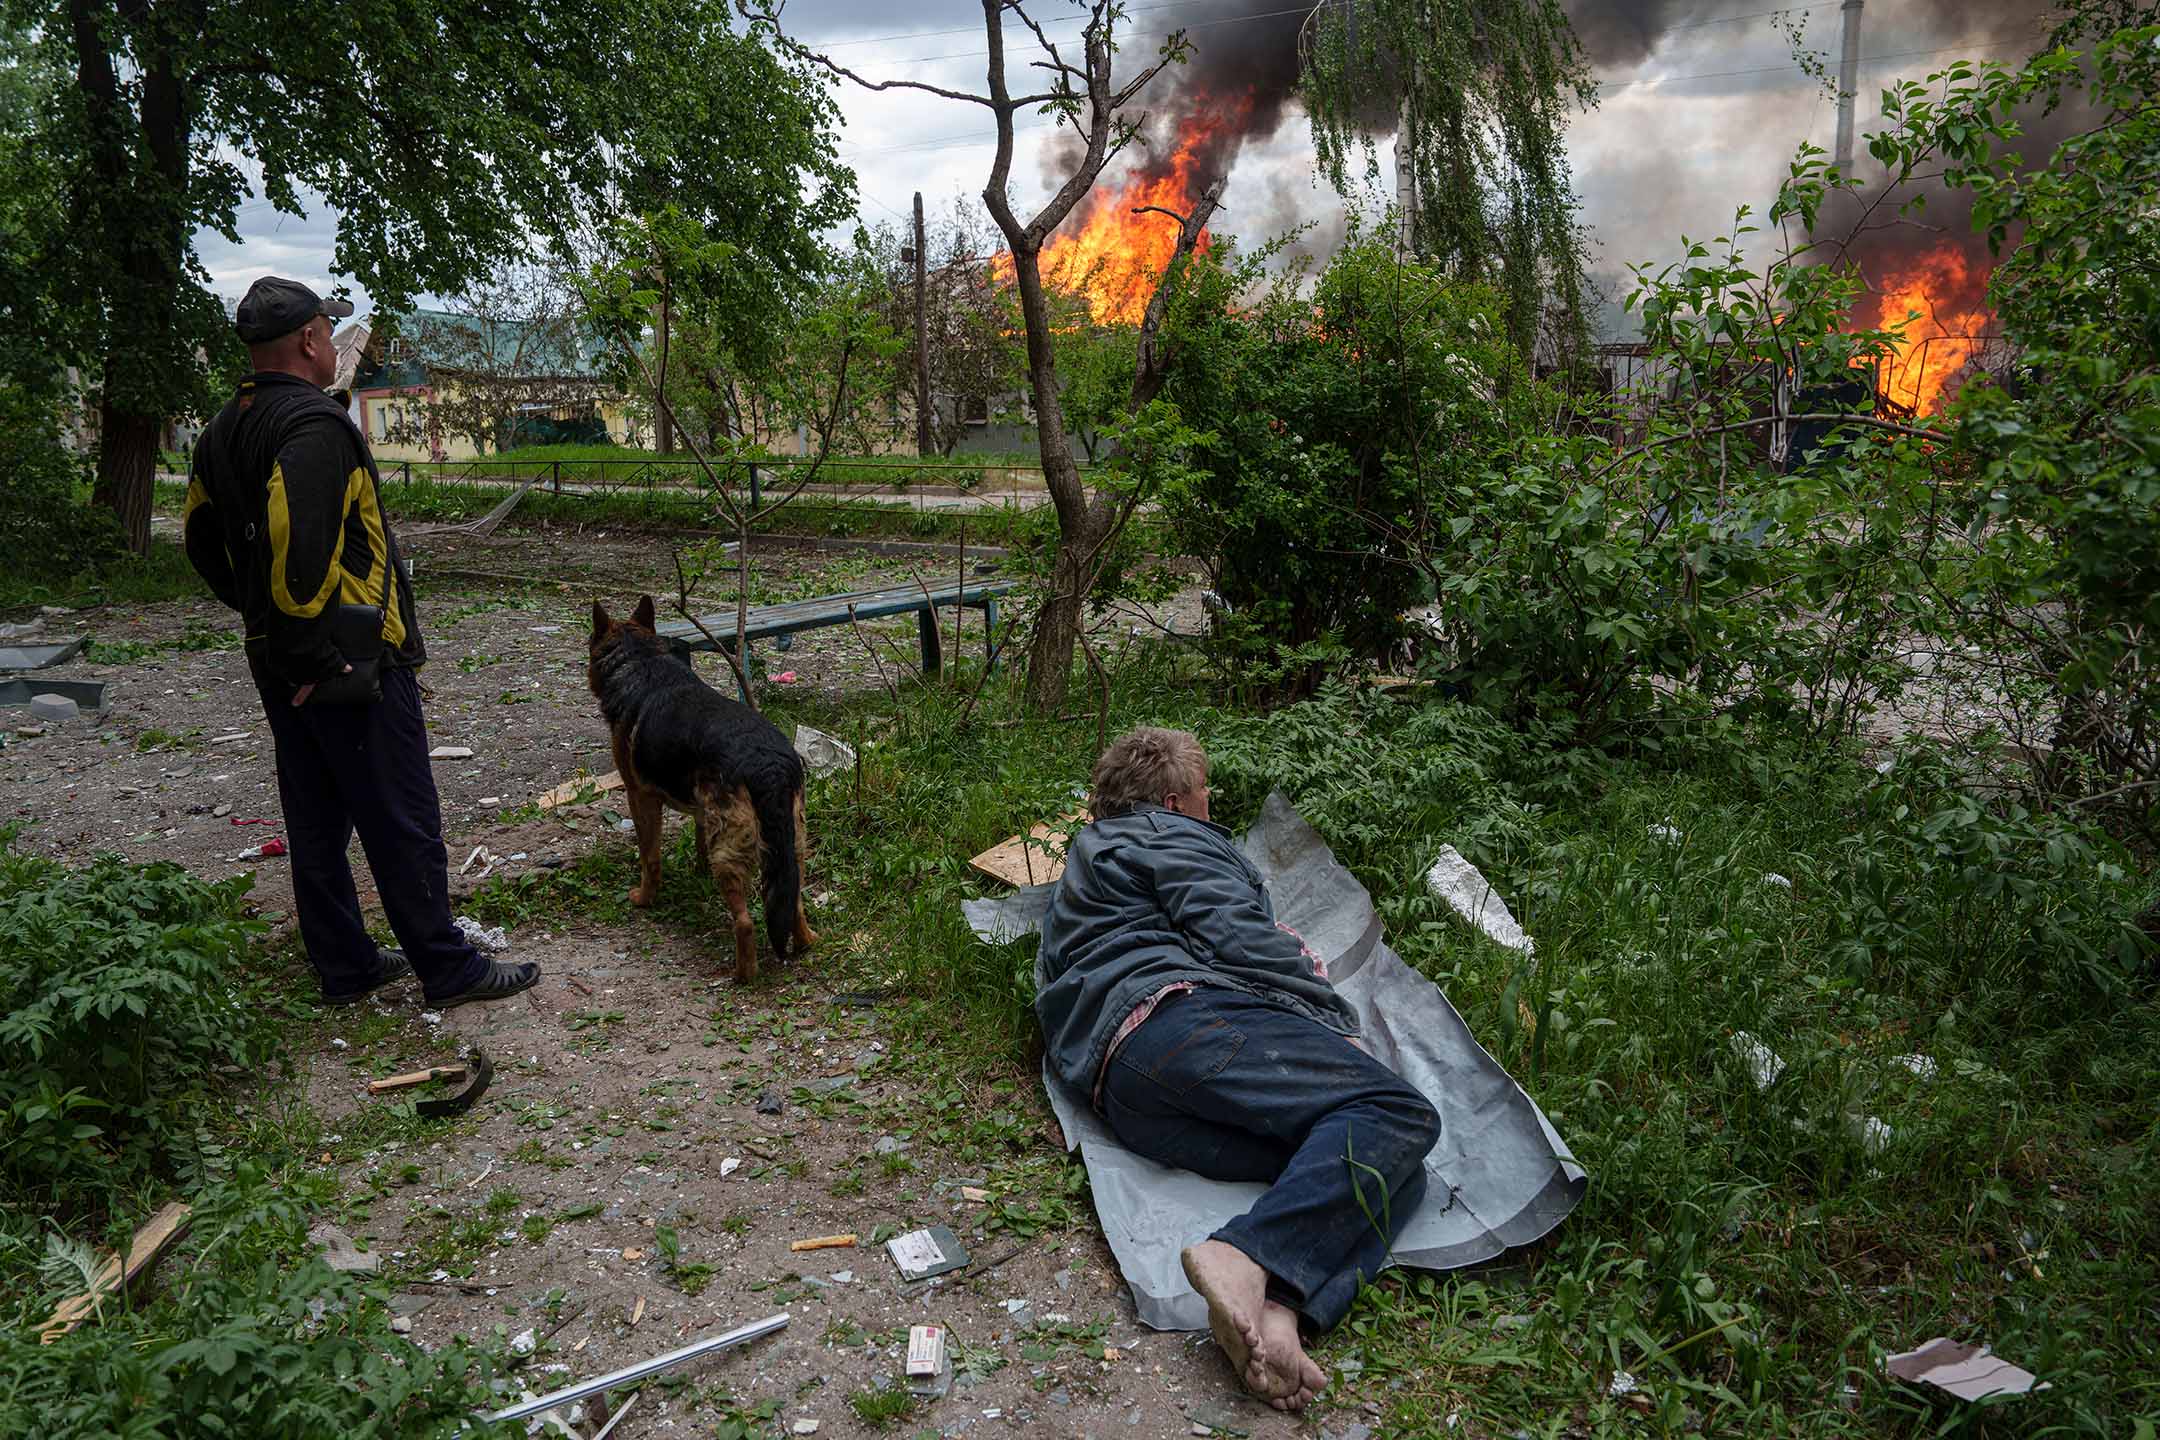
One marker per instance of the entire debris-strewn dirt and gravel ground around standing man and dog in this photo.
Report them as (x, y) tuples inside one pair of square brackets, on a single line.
[(625, 1111)]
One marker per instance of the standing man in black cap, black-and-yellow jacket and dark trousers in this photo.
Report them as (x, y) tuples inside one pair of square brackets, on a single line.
[(286, 524)]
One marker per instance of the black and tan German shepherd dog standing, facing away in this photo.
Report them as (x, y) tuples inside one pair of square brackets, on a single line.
[(686, 746)]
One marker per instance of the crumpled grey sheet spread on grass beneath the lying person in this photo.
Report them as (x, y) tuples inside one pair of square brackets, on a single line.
[(1500, 1176)]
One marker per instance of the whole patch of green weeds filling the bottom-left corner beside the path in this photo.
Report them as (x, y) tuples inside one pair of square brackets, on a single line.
[(131, 1007)]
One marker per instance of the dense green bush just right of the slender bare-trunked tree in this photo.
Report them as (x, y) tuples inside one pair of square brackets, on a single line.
[(1336, 431)]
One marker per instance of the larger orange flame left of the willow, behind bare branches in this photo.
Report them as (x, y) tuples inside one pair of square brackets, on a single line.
[(1118, 258)]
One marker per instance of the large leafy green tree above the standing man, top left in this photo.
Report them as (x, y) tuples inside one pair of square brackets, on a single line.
[(448, 135)]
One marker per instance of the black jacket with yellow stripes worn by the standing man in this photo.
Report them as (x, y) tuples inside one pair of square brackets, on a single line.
[(286, 524)]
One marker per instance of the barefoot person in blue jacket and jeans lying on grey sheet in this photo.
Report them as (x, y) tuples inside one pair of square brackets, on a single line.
[(1209, 1037)]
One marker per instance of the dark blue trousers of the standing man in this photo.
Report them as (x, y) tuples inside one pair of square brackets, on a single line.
[(345, 770)]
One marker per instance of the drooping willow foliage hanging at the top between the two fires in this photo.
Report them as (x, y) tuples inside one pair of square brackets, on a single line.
[(1479, 98)]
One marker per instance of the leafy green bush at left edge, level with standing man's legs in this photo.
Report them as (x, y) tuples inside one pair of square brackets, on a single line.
[(122, 994)]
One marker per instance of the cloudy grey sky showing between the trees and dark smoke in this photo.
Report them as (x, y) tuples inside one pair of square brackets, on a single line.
[(1701, 107)]
